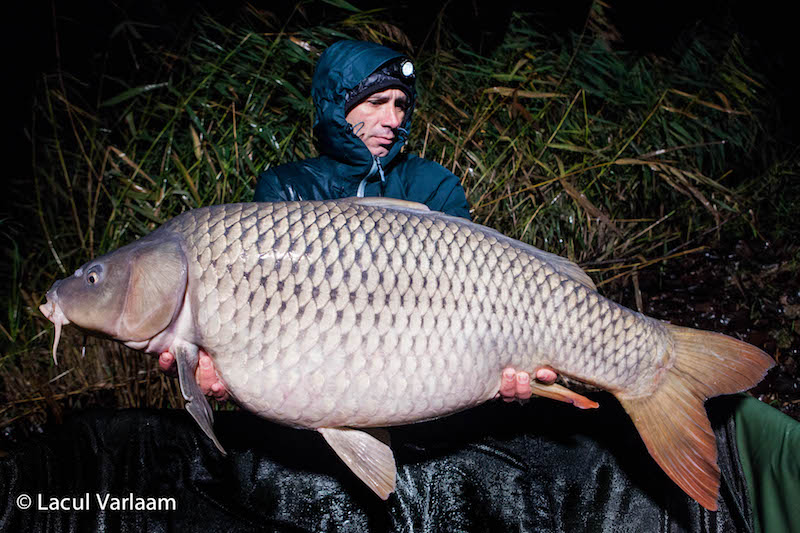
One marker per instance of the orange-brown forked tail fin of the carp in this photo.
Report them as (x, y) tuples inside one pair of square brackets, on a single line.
[(672, 421)]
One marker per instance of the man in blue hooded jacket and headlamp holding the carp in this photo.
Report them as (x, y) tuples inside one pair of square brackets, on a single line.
[(364, 95)]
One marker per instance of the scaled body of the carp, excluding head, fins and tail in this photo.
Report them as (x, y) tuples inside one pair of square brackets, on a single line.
[(441, 308)]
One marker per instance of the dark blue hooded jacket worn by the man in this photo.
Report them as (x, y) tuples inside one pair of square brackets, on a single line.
[(345, 162)]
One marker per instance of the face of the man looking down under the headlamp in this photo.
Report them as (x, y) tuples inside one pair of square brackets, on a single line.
[(376, 119)]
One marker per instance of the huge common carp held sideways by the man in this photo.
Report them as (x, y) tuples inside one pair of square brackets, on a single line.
[(398, 314)]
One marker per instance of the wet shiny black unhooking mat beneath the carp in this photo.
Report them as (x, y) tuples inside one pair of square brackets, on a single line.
[(500, 467)]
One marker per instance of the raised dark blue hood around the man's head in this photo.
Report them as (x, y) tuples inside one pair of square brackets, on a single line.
[(340, 68)]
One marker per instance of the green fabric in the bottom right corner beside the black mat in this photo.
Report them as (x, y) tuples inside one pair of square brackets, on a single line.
[(769, 450)]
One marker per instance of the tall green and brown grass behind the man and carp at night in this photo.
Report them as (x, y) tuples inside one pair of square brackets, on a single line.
[(616, 160)]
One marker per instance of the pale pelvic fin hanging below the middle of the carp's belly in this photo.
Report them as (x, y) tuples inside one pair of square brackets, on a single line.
[(367, 454)]
